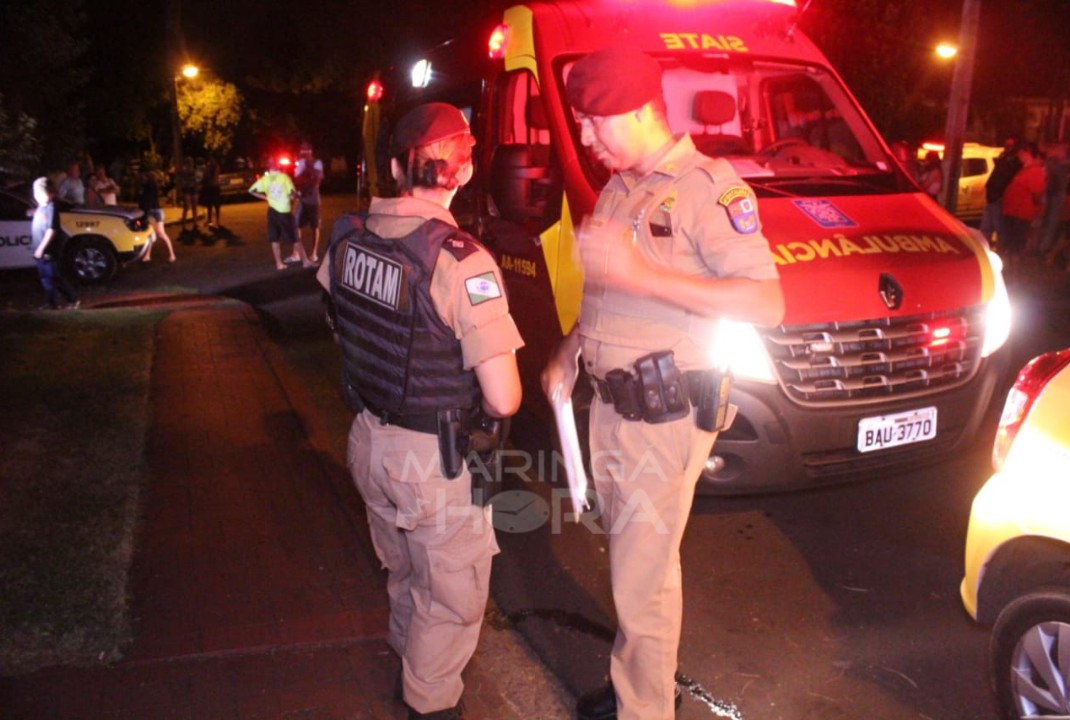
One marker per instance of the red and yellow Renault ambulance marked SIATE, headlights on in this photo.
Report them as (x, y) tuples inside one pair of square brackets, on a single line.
[(891, 351)]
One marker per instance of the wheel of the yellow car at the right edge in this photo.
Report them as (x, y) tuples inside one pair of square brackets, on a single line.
[(1029, 655)]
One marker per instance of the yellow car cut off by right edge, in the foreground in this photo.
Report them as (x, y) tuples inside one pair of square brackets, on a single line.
[(1018, 546)]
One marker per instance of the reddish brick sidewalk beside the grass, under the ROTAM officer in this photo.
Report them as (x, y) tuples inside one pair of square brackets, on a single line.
[(255, 591)]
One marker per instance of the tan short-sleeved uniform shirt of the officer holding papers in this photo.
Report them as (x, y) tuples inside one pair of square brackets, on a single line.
[(694, 215)]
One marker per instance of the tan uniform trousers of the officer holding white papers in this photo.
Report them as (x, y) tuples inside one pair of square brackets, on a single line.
[(645, 477)]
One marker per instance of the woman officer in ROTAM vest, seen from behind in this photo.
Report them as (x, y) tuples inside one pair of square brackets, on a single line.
[(429, 343)]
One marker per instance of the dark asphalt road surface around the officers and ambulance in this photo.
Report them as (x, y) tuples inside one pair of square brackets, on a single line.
[(834, 604)]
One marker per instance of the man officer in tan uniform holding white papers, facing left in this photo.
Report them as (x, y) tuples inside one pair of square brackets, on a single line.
[(675, 244)]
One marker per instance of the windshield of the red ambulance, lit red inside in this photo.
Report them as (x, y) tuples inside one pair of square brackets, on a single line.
[(787, 129)]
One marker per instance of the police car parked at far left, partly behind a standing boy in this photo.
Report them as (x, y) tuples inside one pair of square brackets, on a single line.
[(99, 240)]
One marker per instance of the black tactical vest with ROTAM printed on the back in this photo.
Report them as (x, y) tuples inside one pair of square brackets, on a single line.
[(400, 357)]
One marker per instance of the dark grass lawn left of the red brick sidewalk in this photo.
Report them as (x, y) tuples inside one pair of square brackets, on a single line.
[(77, 412)]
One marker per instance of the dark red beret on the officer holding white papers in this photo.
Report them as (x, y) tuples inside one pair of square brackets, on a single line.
[(614, 82)]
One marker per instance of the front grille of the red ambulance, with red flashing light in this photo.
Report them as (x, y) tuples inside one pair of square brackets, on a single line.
[(872, 360)]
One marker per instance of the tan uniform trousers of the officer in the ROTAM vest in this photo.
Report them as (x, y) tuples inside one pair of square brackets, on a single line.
[(438, 550)]
